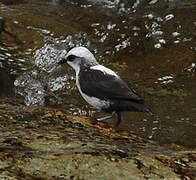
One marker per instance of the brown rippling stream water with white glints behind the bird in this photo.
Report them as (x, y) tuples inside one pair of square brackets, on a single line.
[(151, 44)]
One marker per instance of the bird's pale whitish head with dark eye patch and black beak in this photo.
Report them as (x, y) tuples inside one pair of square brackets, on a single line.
[(77, 57)]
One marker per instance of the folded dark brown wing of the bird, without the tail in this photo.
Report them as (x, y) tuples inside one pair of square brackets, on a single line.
[(106, 86)]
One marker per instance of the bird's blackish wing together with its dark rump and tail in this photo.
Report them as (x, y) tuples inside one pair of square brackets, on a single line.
[(96, 83)]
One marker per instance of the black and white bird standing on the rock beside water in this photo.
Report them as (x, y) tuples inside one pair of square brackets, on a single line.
[(101, 87)]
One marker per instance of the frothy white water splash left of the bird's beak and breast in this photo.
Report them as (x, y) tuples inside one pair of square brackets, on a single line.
[(35, 84)]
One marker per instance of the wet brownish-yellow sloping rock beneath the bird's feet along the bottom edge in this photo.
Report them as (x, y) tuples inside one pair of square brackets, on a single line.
[(43, 143)]
